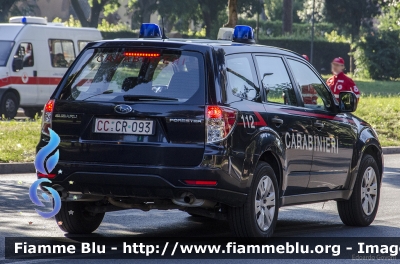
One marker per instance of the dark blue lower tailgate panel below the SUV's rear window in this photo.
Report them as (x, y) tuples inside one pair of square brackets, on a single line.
[(177, 136)]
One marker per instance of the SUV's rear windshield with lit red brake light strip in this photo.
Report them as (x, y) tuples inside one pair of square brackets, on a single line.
[(125, 75)]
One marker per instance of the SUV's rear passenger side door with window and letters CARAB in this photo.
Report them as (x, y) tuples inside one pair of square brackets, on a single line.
[(292, 124)]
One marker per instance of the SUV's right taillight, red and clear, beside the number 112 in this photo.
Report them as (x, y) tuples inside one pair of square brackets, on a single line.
[(219, 122)]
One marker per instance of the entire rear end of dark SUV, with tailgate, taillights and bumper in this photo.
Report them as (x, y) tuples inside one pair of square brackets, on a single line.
[(135, 122)]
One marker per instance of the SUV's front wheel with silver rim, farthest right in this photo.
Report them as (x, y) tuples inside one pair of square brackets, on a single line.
[(361, 208)]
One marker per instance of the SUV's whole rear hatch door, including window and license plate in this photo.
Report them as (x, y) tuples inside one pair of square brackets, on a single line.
[(133, 106)]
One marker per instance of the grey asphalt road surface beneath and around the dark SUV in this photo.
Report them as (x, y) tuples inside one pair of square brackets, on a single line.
[(18, 218)]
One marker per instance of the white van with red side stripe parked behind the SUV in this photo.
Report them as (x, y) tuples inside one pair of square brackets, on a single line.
[(34, 55)]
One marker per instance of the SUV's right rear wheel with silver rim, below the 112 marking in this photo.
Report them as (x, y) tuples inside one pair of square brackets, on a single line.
[(258, 216)]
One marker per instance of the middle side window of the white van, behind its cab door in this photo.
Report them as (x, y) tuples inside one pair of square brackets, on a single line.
[(62, 52)]
